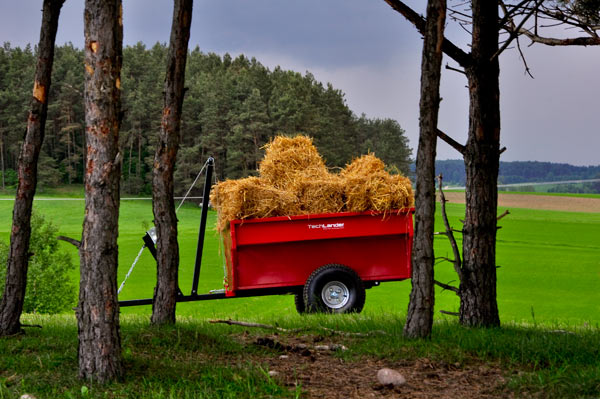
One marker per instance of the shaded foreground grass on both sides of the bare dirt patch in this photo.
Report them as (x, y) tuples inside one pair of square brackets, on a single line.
[(195, 359)]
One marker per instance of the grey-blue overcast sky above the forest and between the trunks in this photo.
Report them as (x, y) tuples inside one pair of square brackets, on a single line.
[(372, 54)]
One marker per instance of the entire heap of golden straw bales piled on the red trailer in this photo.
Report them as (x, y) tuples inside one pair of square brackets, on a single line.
[(294, 180)]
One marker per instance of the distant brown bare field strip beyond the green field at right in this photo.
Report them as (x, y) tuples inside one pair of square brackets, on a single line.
[(547, 202)]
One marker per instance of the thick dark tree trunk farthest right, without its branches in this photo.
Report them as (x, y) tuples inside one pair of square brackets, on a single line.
[(478, 306)]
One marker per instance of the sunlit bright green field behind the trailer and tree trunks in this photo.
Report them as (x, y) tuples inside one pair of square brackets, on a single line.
[(549, 265)]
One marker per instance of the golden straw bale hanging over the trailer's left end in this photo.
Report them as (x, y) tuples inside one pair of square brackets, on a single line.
[(249, 198)]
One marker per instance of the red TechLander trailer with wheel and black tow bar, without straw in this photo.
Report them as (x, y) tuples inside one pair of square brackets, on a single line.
[(327, 260)]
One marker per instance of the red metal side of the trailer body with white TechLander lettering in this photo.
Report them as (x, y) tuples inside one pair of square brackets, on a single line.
[(284, 251)]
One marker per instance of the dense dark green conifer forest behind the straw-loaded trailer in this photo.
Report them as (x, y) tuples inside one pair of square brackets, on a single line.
[(232, 108)]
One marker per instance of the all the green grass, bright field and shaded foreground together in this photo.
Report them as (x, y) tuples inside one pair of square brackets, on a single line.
[(547, 294)]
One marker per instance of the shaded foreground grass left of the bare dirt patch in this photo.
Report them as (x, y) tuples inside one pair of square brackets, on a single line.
[(189, 360)]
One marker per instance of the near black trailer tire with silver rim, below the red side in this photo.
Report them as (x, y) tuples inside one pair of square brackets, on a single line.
[(334, 289)]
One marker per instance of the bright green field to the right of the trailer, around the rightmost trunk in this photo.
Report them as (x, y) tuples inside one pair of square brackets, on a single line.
[(549, 271)]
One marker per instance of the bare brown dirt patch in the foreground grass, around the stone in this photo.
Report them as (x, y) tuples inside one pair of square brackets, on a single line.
[(321, 374)]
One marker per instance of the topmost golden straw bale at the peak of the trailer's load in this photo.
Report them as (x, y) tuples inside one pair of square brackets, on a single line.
[(286, 157)]
